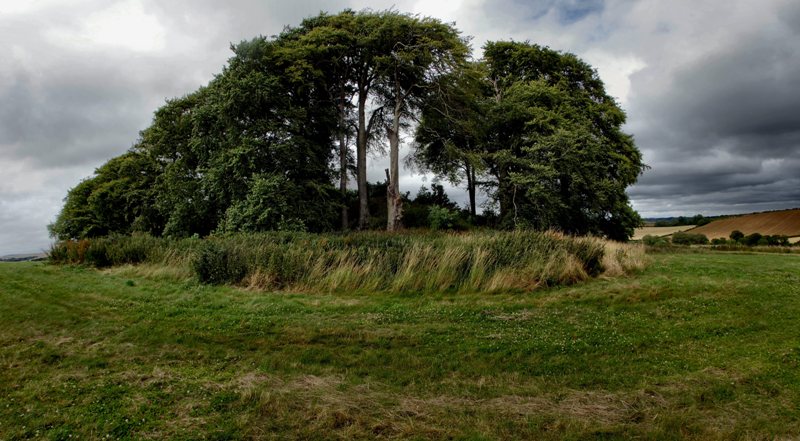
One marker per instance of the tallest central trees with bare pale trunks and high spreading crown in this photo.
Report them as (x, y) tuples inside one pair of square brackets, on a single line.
[(385, 62)]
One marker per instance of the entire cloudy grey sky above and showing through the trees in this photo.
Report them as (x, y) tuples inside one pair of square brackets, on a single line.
[(711, 89)]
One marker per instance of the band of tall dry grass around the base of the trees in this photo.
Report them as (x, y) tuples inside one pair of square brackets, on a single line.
[(371, 261)]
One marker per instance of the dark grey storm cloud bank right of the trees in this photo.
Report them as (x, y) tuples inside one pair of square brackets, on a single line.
[(724, 128)]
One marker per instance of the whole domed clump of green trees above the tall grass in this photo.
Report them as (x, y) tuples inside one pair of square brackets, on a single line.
[(263, 144)]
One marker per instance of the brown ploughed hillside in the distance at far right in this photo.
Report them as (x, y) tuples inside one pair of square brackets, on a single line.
[(785, 222)]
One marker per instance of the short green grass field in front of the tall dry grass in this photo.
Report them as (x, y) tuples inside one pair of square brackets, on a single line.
[(701, 345)]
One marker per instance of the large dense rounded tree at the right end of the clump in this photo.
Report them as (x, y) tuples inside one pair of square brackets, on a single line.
[(555, 147)]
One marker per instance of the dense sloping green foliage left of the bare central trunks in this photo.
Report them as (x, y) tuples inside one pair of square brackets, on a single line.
[(209, 159)]
